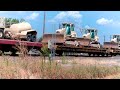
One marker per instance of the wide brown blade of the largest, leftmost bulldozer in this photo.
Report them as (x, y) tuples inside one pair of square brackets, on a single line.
[(57, 38)]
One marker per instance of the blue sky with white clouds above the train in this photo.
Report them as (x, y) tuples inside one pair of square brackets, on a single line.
[(107, 22)]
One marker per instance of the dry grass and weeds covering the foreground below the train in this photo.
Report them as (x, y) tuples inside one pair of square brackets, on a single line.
[(29, 67)]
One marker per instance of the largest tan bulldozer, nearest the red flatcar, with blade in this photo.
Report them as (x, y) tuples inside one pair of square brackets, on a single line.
[(67, 30)]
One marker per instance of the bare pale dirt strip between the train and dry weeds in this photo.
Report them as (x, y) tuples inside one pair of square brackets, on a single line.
[(82, 60)]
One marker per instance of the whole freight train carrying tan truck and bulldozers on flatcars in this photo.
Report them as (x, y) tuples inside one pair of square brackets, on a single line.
[(64, 41)]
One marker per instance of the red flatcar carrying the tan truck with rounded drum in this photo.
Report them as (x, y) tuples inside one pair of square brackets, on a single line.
[(7, 45)]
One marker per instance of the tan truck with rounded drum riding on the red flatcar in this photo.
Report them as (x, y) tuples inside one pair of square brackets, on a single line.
[(17, 31)]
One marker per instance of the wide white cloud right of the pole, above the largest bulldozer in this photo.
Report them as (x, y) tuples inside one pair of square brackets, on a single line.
[(67, 16)]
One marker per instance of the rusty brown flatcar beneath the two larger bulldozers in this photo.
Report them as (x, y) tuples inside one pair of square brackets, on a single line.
[(89, 50)]
